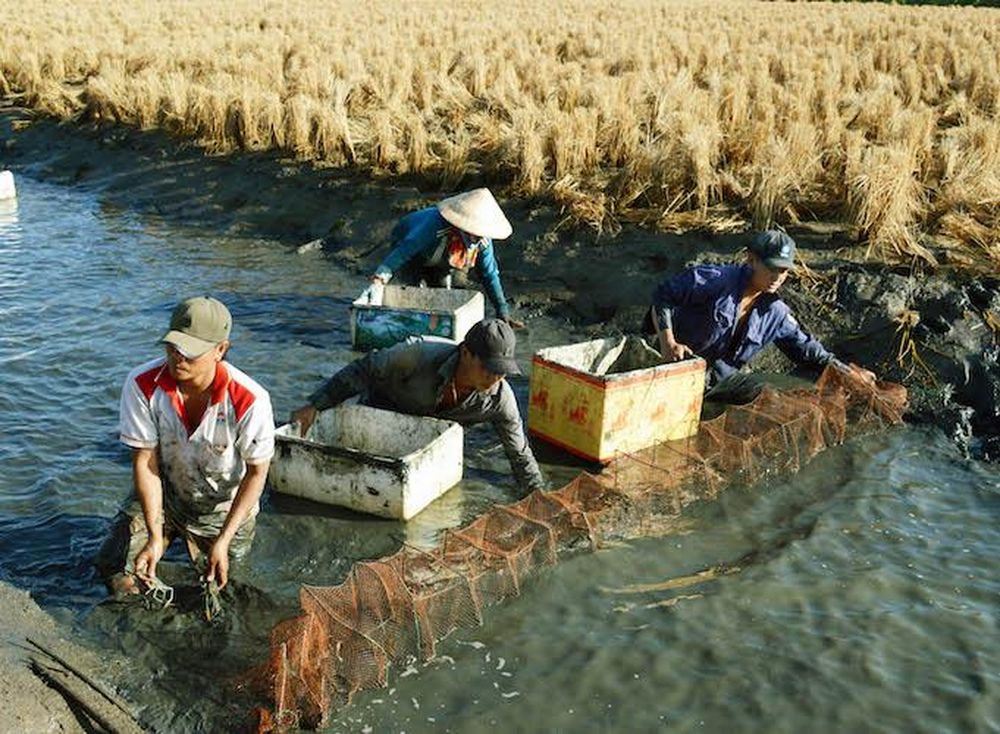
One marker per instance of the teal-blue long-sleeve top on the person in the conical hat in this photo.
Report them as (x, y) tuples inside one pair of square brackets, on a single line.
[(418, 236)]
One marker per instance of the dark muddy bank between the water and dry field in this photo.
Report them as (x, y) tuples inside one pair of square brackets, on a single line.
[(937, 332)]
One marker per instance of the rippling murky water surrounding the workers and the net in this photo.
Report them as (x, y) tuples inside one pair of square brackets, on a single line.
[(860, 594)]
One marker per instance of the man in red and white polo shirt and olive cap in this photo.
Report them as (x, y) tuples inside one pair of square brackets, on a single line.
[(202, 436)]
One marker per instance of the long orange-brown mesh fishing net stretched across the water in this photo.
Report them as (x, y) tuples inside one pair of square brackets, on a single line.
[(400, 607)]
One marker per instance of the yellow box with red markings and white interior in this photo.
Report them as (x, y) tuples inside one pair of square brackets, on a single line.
[(600, 397)]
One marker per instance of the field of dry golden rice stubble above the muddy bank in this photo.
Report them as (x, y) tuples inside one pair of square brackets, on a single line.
[(681, 114)]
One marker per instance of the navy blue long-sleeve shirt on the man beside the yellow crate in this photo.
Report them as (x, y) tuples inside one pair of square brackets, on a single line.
[(701, 305)]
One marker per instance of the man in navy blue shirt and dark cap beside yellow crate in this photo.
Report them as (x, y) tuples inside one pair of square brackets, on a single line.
[(726, 314)]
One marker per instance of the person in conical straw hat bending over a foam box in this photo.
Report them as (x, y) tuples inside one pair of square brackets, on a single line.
[(439, 245)]
